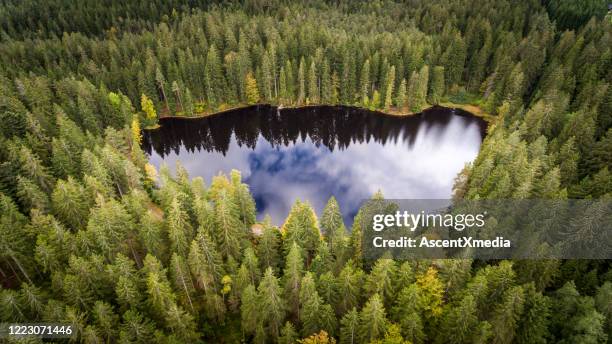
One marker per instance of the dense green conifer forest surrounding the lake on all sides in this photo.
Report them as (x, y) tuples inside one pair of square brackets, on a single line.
[(94, 236)]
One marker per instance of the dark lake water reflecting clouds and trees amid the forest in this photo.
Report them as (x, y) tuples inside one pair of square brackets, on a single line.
[(314, 153)]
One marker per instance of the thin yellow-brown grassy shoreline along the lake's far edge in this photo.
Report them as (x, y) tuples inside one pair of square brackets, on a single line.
[(474, 110)]
